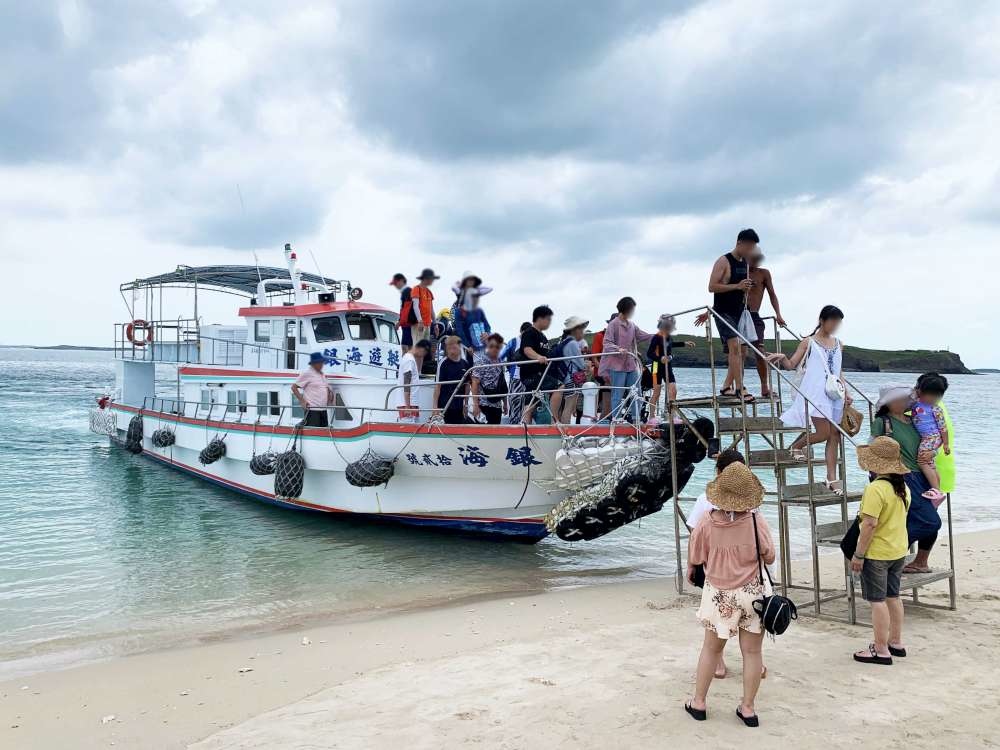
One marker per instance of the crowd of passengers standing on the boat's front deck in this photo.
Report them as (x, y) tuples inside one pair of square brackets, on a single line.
[(530, 378)]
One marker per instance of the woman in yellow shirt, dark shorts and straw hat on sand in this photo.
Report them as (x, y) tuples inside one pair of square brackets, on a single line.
[(882, 548)]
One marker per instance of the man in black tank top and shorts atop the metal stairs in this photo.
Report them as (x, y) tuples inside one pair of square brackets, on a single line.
[(729, 283)]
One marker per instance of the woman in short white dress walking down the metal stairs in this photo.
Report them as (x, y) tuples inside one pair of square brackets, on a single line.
[(822, 355)]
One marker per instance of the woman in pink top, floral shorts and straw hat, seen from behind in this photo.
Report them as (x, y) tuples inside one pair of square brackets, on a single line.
[(726, 542)]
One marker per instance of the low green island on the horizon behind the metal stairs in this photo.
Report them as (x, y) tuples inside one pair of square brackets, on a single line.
[(855, 358)]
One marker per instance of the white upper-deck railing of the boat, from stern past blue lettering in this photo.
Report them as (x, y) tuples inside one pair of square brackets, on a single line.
[(180, 341)]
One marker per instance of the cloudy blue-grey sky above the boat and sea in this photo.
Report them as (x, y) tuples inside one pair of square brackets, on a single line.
[(568, 153)]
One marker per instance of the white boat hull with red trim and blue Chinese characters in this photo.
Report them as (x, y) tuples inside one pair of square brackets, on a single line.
[(465, 478)]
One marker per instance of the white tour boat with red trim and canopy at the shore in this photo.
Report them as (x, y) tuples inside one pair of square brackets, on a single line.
[(231, 387)]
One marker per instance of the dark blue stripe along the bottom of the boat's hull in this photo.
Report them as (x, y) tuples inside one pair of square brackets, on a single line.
[(516, 531)]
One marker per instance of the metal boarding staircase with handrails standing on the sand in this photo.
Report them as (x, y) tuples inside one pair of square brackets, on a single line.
[(757, 430)]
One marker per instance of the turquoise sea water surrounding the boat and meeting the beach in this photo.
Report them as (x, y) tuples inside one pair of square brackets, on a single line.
[(103, 553)]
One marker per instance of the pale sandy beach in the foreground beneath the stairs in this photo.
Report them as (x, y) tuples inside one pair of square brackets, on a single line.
[(589, 667)]
